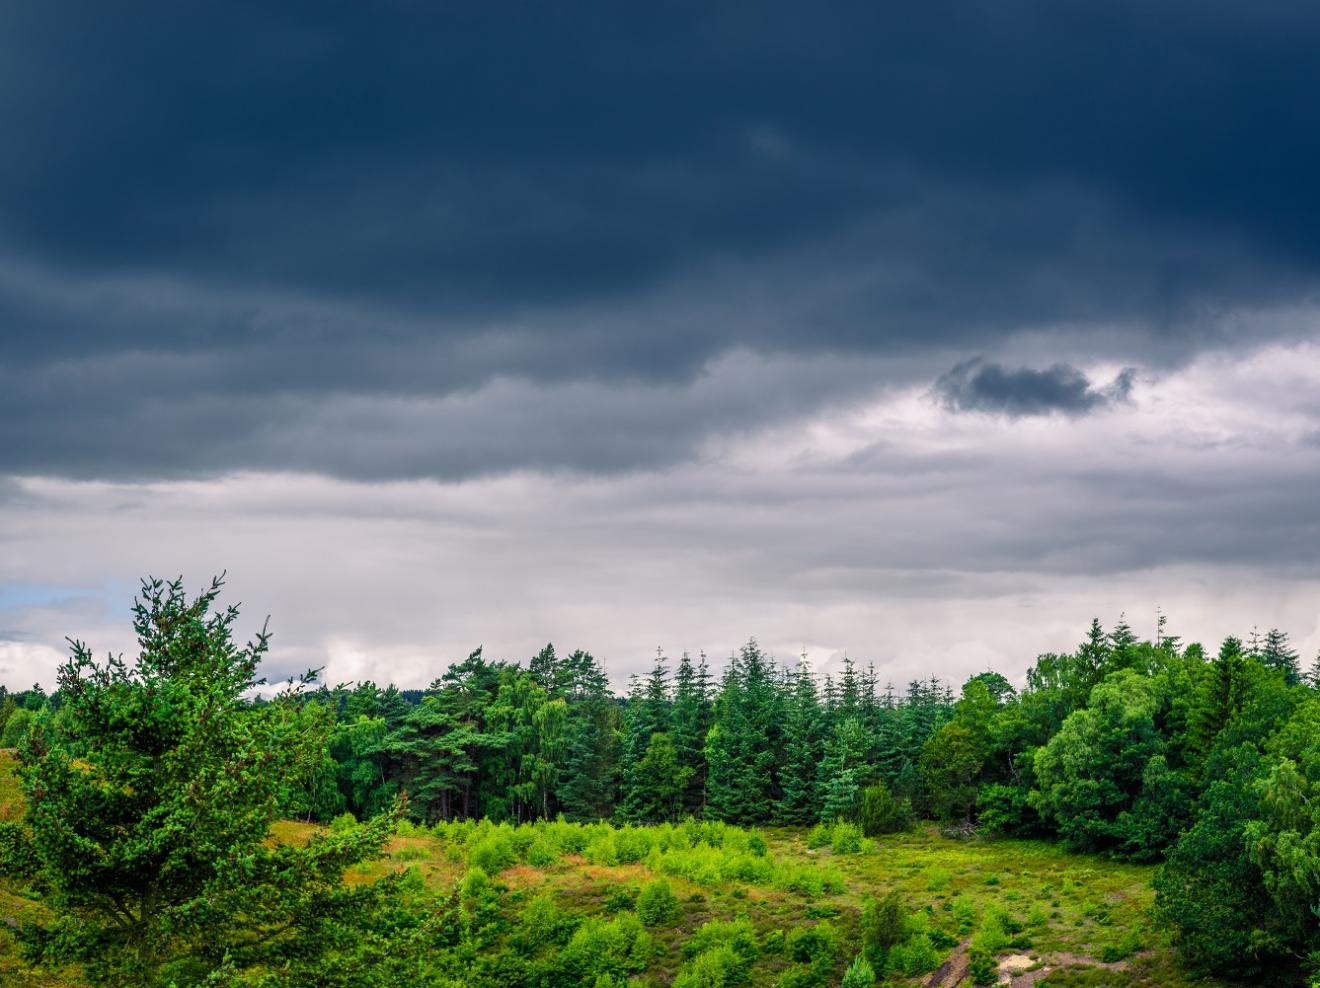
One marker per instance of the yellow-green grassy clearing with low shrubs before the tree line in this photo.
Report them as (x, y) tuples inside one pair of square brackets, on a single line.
[(691, 904)]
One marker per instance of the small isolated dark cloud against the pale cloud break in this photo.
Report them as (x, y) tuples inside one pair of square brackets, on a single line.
[(977, 386)]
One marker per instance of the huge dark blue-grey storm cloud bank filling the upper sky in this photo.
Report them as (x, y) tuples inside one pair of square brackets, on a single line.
[(250, 236)]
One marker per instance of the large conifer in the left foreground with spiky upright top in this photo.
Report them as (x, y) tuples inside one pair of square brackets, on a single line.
[(151, 808)]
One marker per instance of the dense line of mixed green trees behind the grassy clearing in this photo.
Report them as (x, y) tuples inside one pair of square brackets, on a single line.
[(1145, 751)]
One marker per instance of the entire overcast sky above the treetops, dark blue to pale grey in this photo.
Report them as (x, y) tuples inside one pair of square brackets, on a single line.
[(914, 334)]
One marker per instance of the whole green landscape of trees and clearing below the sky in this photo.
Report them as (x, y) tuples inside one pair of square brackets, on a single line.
[(1137, 812)]
